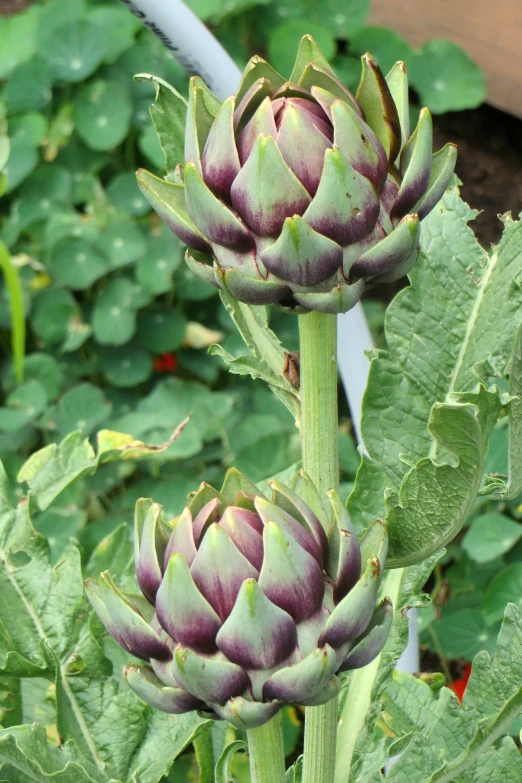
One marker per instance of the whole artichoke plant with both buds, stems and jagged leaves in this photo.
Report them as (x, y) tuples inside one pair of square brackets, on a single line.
[(260, 596)]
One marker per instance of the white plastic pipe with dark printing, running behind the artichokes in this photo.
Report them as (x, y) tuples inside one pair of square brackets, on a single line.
[(196, 49)]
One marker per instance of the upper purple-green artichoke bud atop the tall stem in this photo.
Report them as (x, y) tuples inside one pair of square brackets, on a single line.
[(297, 192)]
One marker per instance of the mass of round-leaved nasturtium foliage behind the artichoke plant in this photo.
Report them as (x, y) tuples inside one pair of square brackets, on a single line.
[(117, 327)]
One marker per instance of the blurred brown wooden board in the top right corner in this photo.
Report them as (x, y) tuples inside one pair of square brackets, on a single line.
[(490, 32)]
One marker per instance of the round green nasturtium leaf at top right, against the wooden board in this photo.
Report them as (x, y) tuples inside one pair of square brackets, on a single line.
[(446, 78)]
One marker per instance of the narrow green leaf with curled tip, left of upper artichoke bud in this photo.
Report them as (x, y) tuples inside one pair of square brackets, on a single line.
[(168, 115)]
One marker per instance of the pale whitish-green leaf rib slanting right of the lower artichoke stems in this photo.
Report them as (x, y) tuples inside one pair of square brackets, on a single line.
[(359, 694)]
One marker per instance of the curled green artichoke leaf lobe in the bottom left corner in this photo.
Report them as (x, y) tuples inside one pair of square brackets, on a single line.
[(29, 751)]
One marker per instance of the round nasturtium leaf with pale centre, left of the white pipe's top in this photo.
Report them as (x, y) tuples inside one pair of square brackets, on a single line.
[(74, 50)]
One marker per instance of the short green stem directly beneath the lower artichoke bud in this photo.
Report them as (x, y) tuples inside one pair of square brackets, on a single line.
[(266, 752)]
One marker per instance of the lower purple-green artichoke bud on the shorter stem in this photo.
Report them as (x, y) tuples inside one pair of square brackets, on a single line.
[(249, 605)]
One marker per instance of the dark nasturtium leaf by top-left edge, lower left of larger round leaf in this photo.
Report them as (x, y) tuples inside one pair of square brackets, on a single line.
[(29, 87)]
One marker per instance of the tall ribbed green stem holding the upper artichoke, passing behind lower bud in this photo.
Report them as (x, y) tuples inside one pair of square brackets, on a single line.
[(318, 347)]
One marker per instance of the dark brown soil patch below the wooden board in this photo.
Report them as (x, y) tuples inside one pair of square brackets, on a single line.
[(489, 163)]
